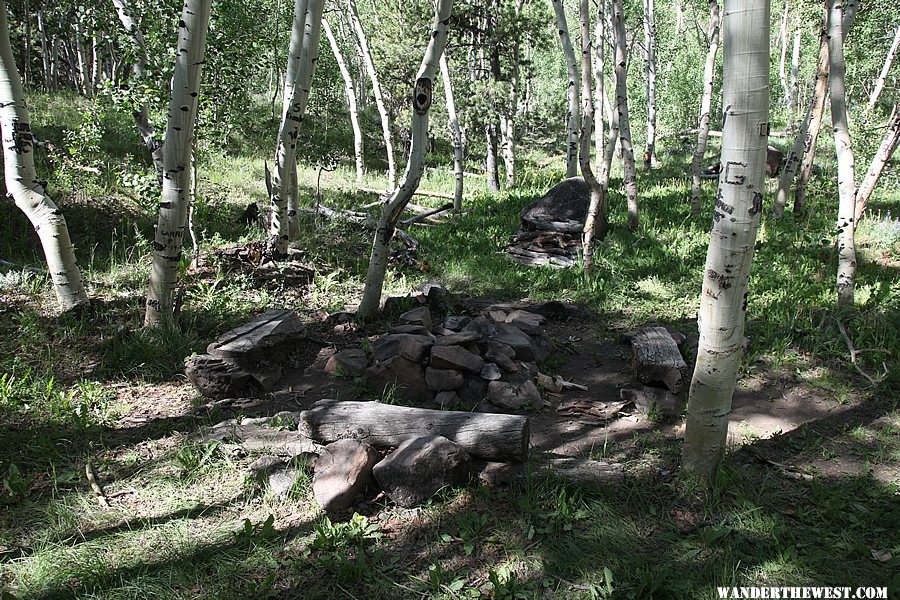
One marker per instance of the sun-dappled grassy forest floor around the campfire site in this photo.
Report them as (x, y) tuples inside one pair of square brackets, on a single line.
[(807, 495)]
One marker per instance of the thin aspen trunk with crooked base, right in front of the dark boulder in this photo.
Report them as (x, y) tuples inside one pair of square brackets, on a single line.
[(595, 222)]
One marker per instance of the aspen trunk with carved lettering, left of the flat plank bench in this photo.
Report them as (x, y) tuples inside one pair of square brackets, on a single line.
[(168, 244)]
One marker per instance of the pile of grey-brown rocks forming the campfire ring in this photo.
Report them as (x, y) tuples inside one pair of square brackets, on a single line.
[(458, 361)]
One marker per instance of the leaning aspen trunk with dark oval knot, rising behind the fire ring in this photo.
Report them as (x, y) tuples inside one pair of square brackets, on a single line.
[(394, 205)]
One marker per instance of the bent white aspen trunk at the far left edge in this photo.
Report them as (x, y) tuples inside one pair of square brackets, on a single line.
[(21, 180)]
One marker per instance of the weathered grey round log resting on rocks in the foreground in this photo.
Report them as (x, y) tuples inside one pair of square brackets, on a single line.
[(490, 436)]
